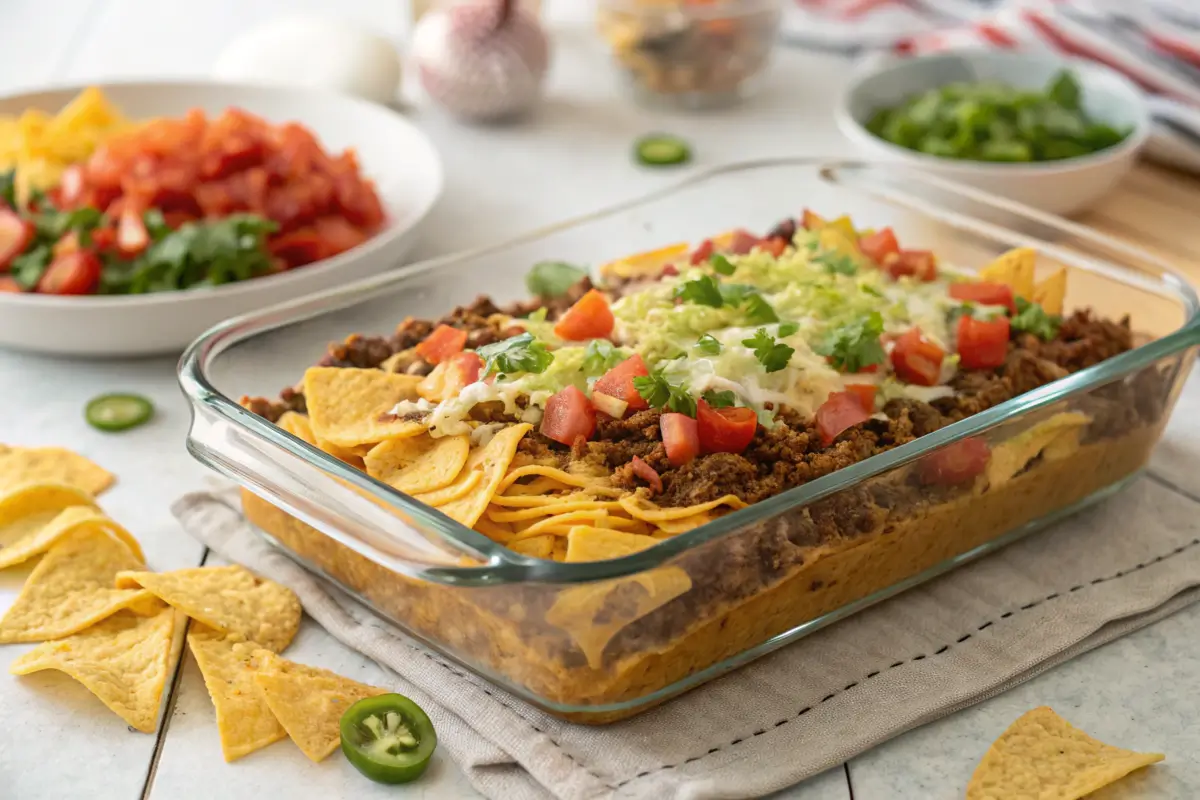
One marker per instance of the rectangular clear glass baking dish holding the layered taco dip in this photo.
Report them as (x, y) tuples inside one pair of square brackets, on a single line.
[(602, 641)]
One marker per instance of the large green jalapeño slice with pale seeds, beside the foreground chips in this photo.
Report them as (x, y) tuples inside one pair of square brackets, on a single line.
[(388, 738)]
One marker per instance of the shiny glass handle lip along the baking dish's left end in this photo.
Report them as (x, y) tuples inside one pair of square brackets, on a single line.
[(328, 502)]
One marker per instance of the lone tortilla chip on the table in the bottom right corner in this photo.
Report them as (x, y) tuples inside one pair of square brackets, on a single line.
[(1043, 756)]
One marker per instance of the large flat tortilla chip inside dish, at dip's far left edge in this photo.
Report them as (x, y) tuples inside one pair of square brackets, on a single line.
[(352, 407)]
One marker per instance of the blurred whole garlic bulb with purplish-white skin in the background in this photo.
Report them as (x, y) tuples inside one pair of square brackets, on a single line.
[(482, 59)]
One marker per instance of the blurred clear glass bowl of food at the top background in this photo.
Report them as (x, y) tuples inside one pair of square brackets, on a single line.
[(689, 53)]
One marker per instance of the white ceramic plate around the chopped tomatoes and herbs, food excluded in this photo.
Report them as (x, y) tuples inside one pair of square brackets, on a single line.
[(392, 152)]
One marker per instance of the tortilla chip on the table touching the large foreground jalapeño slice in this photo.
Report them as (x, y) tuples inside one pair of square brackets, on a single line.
[(309, 702)]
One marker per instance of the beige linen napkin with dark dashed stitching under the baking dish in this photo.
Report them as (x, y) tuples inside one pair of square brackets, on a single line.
[(931, 652)]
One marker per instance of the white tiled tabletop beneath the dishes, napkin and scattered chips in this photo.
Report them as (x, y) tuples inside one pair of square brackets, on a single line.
[(59, 742)]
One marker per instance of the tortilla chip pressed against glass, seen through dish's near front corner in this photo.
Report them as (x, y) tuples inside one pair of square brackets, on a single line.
[(585, 613)]
